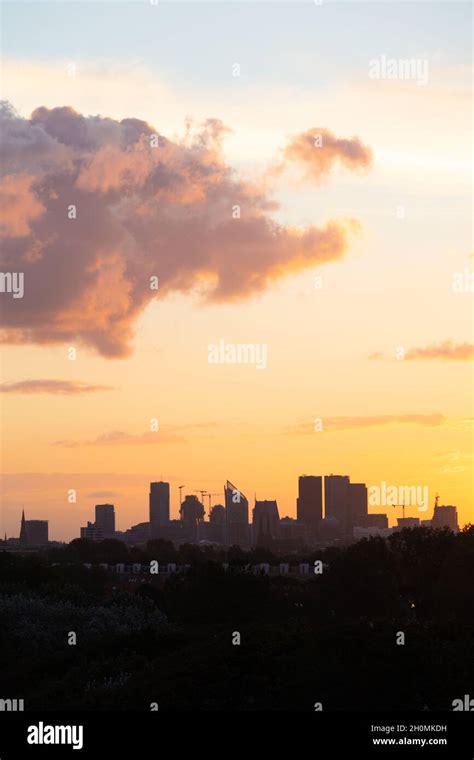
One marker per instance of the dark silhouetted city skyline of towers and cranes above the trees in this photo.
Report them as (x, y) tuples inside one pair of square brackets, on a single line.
[(320, 501)]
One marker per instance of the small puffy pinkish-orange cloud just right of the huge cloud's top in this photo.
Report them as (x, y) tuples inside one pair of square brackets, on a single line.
[(319, 151)]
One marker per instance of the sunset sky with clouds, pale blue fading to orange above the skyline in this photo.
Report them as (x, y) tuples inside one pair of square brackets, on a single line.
[(350, 261)]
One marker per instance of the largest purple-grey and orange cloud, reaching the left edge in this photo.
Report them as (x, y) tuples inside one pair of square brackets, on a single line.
[(141, 212)]
